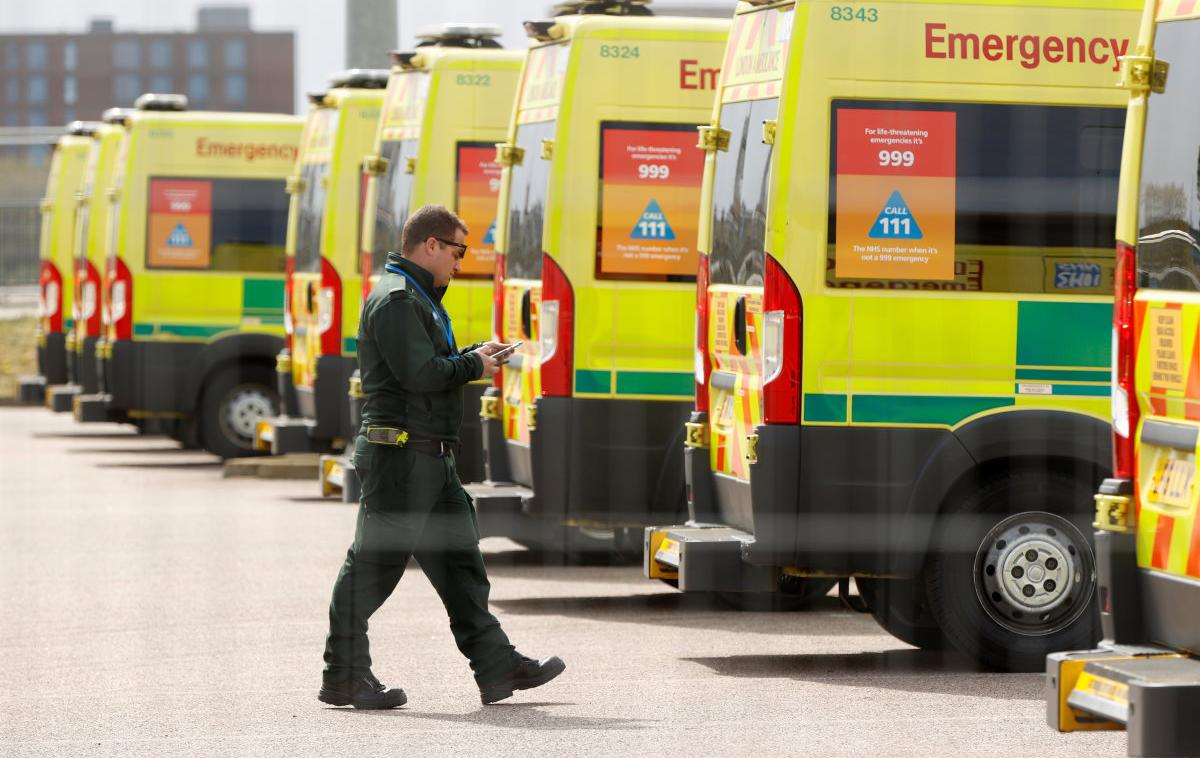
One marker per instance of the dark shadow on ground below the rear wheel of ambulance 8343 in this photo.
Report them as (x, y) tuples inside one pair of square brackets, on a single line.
[(903, 671)]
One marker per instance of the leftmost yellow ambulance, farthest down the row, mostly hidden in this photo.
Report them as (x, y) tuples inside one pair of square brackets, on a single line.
[(68, 165)]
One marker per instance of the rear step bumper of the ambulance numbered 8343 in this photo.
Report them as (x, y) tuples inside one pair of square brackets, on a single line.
[(704, 558)]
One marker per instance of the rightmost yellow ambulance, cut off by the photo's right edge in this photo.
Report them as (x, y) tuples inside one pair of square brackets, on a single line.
[(1145, 677)]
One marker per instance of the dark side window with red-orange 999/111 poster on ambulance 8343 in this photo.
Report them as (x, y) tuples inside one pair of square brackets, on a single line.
[(974, 197)]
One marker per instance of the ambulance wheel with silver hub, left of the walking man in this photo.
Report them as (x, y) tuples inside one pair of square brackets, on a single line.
[(236, 400)]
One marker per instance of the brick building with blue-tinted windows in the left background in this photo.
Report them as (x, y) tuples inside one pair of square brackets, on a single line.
[(223, 65)]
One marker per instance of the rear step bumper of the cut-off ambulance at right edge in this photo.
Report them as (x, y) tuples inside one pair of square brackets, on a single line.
[(1151, 693)]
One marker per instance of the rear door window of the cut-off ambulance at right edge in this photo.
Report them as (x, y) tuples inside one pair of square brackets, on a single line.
[(1169, 202)]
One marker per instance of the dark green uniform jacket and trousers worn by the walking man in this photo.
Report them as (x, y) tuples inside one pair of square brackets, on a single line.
[(413, 504)]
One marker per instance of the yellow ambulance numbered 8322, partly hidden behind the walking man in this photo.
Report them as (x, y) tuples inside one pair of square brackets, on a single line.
[(448, 105)]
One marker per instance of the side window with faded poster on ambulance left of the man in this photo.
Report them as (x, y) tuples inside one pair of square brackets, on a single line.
[(218, 225)]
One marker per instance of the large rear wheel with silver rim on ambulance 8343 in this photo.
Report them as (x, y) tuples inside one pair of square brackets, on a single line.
[(1013, 574)]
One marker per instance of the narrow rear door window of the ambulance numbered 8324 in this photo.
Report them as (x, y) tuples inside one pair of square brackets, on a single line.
[(527, 203)]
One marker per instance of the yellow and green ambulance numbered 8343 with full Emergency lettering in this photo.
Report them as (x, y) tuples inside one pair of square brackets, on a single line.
[(903, 316)]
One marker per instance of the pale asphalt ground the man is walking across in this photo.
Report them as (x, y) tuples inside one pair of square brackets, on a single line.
[(152, 607)]
